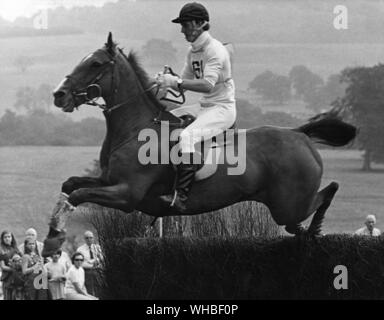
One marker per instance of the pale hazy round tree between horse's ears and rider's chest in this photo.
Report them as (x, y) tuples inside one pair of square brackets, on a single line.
[(159, 52)]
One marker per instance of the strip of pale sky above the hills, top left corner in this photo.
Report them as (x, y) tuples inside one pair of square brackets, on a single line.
[(11, 9)]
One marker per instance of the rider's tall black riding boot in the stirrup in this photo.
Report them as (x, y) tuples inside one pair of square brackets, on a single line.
[(185, 177)]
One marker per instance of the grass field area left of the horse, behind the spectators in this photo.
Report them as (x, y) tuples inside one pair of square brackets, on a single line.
[(31, 181)]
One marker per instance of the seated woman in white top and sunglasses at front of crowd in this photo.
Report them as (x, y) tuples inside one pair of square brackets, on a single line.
[(75, 288)]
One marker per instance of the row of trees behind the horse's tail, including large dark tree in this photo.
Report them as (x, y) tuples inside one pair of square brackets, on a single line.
[(356, 93)]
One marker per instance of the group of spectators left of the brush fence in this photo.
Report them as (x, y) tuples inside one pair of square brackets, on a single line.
[(26, 275)]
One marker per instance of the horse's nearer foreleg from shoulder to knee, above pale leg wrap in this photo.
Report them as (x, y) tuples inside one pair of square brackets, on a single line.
[(118, 196)]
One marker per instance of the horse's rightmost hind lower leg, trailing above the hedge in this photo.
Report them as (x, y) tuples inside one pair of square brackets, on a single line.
[(321, 204)]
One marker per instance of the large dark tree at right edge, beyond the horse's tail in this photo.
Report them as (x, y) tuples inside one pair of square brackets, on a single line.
[(364, 99)]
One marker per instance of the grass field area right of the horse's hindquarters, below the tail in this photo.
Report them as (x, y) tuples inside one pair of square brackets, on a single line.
[(360, 193)]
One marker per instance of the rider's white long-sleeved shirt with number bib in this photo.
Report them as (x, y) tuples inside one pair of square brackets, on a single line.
[(208, 59)]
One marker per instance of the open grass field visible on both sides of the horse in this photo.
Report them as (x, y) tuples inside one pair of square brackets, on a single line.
[(31, 179)]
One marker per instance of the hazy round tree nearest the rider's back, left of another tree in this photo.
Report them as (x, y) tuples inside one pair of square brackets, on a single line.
[(272, 86)]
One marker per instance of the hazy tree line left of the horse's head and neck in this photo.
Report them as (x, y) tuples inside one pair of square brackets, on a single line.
[(36, 124)]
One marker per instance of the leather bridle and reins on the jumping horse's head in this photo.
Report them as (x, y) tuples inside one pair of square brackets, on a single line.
[(94, 85)]
